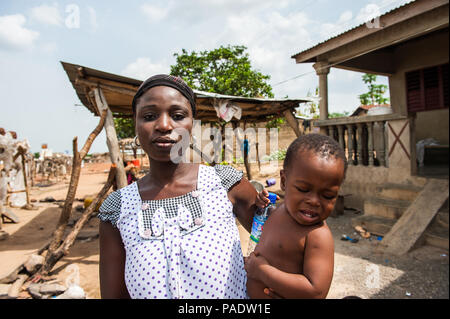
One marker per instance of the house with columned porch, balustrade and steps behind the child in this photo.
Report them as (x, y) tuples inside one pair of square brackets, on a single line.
[(401, 201)]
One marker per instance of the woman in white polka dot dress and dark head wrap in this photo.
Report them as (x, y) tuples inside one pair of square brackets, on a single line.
[(172, 234)]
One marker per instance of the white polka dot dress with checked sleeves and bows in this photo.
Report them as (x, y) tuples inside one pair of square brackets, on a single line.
[(182, 247)]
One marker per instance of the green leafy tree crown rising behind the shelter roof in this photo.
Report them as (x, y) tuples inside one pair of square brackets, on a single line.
[(226, 70)]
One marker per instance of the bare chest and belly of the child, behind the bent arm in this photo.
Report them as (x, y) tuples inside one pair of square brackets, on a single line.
[(282, 243)]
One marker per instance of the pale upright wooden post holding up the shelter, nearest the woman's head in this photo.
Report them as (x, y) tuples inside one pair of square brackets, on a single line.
[(111, 138)]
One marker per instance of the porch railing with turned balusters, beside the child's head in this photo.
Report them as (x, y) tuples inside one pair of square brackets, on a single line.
[(363, 138)]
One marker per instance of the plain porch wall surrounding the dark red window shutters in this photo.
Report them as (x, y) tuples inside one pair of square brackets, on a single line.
[(423, 52)]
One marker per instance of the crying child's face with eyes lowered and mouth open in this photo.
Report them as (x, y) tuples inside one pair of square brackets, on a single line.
[(311, 186)]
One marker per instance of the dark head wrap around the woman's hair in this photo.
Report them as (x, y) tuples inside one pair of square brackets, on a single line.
[(166, 80)]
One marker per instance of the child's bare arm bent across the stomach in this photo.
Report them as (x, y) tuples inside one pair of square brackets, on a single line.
[(317, 269)]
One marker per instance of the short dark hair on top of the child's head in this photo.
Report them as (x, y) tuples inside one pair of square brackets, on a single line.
[(320, 144)]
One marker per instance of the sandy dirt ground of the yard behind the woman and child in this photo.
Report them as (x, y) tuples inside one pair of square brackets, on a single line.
[(358, 271)]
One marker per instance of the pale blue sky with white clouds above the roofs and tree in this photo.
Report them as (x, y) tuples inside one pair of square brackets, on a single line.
[(139, 38)]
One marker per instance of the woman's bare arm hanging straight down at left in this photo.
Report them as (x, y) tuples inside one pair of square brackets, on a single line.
[(112, 263)]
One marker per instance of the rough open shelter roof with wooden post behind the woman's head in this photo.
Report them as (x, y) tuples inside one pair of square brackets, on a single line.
[(98, 90)]
